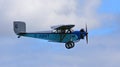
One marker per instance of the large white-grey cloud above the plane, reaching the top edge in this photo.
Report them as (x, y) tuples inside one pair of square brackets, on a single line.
[(41, 14)]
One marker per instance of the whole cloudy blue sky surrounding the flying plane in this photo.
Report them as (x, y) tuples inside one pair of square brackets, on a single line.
[(101, 16)]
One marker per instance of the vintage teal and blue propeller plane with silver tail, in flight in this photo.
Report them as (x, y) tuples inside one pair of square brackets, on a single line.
[(60, 33)]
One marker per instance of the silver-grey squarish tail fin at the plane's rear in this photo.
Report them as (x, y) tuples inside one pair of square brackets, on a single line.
[(19, 27)]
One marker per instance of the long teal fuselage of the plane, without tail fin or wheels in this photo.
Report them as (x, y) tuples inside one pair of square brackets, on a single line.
[(56, 37)]
